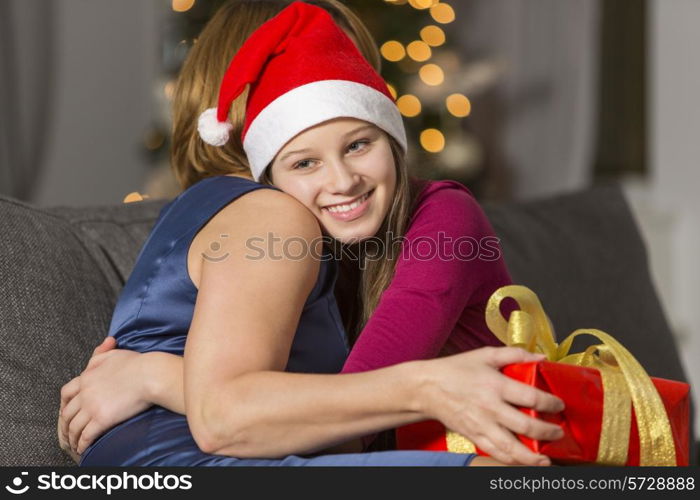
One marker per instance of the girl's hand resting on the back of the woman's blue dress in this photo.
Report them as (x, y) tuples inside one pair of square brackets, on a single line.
[(110, 390)]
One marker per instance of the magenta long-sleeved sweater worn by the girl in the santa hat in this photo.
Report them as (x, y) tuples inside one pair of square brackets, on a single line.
[(450, 265)]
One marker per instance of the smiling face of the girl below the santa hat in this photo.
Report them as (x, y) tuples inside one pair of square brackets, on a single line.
[(343, 171)]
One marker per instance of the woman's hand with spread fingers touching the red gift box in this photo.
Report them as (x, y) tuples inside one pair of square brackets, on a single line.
[(469, 394)]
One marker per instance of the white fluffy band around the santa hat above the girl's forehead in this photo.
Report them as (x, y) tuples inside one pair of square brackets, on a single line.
[(311, 104)]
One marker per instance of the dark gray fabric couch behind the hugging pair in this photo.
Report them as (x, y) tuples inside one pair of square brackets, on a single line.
[(61, 271)]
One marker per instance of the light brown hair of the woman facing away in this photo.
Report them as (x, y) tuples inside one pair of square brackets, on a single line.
[(200, 77)]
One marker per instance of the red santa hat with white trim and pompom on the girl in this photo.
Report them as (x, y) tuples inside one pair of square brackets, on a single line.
[(303, 70)]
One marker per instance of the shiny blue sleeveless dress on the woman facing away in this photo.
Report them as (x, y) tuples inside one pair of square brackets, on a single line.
[(154, 312)]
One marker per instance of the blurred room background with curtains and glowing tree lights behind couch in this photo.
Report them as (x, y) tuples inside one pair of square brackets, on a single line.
[(517, 99)]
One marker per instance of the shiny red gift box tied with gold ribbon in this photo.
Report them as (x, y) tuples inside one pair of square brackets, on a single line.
[(581, 389)]
